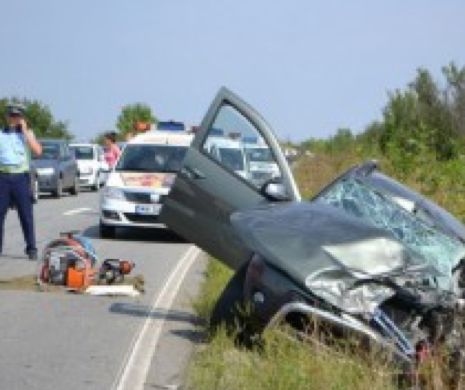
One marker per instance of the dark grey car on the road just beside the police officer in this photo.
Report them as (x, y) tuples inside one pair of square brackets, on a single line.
[(56, 168)]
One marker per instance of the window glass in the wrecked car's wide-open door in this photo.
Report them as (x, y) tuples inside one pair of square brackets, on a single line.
[(237, 145)]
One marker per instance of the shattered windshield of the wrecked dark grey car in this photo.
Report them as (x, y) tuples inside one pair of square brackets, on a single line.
[(363, 201)]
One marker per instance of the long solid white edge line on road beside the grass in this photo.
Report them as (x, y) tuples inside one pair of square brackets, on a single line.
[(134, 370)]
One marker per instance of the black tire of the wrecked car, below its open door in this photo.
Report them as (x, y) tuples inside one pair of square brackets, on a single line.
[(231, 312)]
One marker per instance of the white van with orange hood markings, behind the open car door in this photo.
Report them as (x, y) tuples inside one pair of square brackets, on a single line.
[(142, 177)]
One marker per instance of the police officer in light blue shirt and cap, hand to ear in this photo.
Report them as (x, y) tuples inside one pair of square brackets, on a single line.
[(17, 142)]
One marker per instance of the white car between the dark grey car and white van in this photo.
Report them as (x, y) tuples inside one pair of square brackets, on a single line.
[(93, 169)]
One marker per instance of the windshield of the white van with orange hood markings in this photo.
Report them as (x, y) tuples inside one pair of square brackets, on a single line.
[(152, 158)]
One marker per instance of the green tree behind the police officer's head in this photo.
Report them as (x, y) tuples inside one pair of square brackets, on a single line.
[(39, 118)]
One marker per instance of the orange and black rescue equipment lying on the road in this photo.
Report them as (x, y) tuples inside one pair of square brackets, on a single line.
[(70, 261)]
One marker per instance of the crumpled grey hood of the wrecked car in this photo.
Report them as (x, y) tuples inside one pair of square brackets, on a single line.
[(335, 256)]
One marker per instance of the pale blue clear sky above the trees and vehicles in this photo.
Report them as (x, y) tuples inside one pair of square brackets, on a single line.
[(309, 67)]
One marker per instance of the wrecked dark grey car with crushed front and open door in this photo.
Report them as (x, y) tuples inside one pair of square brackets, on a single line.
[(366, 255)]
